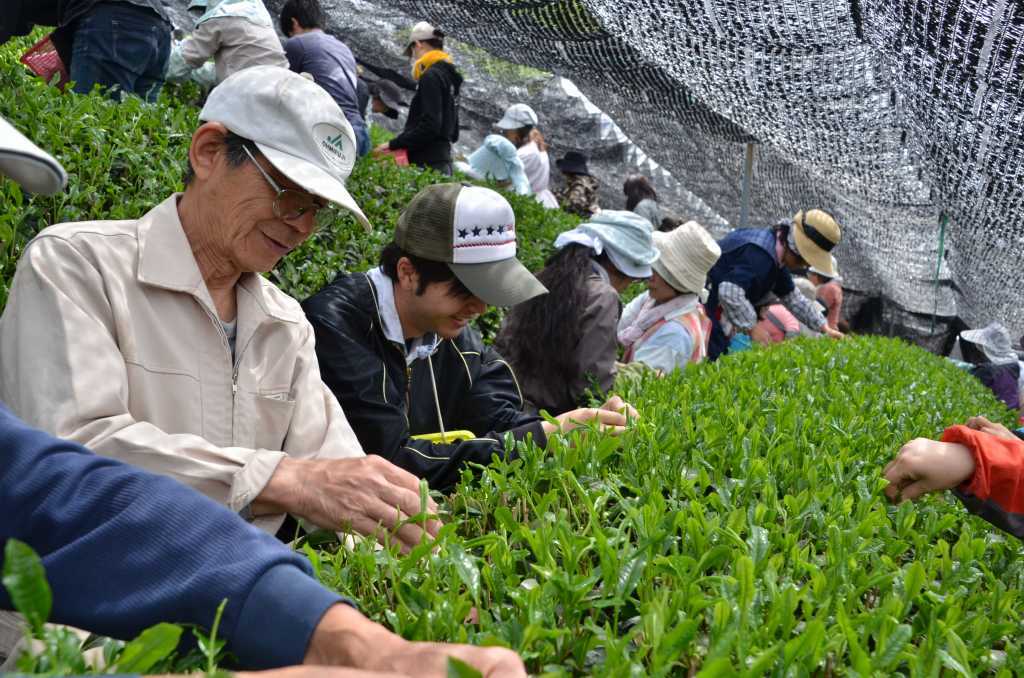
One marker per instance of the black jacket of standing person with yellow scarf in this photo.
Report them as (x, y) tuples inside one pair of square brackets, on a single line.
[(433, 125)]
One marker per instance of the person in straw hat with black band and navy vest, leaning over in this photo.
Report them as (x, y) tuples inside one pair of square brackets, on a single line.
[(756, 263)]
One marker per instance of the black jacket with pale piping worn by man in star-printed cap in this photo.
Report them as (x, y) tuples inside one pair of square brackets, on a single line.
[(387, 403)]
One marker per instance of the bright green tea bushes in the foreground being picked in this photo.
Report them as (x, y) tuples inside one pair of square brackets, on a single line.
[(740, 530)]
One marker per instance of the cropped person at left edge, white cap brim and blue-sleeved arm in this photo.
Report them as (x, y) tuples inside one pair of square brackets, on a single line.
[(123, 548)]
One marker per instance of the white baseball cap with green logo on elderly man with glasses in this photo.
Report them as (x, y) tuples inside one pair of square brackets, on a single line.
[(295, 124)]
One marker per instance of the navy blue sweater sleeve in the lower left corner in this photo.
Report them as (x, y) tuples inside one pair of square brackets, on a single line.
[(125, 549)]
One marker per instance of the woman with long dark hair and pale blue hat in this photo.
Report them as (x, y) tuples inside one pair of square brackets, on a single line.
[(565, 344)]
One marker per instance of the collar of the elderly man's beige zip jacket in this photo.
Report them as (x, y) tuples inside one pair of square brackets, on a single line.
[(165, 261)]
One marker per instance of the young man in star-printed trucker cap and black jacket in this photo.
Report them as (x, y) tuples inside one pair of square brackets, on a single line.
[(396, 347)]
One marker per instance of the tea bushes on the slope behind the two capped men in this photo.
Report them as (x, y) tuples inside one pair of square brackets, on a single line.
[(124, 158)]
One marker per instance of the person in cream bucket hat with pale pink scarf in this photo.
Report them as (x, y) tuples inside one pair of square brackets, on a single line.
[(667, 327)]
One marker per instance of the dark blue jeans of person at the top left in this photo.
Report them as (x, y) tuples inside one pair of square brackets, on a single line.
[(123, 49)]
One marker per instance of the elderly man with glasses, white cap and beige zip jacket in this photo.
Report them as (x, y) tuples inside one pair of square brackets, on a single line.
[(158, 343)]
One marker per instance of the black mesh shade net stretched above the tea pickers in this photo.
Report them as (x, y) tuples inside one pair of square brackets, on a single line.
[(898, 116)]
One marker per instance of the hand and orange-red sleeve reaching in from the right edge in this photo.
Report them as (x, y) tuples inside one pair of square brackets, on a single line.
[(982, 461)]
